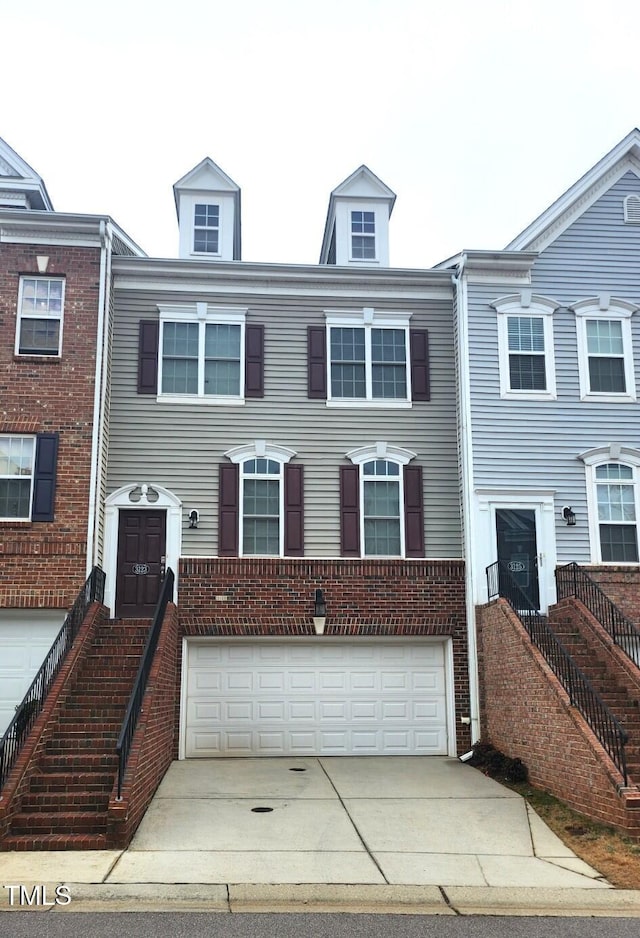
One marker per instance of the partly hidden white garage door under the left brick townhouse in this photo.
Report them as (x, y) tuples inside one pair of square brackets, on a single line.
[(25, 638)]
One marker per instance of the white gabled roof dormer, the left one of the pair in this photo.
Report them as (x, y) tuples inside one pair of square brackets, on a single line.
[(208, 207)]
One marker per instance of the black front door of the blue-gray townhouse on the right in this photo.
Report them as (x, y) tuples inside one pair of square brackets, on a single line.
[(517, 548)]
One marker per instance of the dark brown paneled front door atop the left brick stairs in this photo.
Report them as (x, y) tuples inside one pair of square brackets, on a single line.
[(141, 560)]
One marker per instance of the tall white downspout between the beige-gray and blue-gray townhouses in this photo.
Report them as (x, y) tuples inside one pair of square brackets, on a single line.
[(466, 469)]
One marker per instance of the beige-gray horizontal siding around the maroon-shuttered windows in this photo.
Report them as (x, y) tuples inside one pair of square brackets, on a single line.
[(181, 445)]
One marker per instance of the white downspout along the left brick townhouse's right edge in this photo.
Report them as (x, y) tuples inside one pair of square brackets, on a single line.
[(98, 396)]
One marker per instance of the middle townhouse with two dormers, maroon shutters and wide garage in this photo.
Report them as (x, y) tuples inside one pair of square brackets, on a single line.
[(281, 435)]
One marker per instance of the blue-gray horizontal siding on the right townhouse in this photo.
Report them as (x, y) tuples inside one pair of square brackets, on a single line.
[(536, 443)]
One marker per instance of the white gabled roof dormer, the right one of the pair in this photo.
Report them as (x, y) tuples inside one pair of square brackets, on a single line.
[(356, 232)]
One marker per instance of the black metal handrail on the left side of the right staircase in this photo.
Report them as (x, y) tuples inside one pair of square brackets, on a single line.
[(582, 694)]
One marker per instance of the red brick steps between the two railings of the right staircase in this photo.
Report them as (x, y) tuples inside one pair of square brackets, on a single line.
[(593, 661)]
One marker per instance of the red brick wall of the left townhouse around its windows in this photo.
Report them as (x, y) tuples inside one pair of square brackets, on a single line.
[(43, 564)]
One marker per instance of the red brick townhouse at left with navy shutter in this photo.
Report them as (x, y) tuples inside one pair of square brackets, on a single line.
[(54, 339)]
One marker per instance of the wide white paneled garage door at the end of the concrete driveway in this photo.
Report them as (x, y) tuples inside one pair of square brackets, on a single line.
[(320, 697)]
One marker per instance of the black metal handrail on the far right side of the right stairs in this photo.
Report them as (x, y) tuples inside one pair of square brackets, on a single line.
[(572, 580)]
